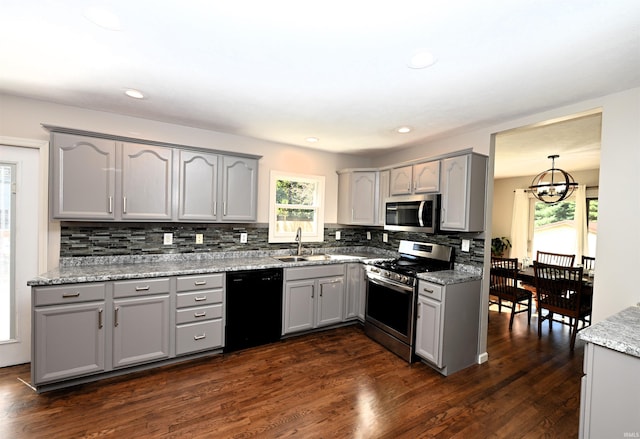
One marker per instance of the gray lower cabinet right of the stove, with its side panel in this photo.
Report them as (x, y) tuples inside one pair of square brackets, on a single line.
[(447, 325)]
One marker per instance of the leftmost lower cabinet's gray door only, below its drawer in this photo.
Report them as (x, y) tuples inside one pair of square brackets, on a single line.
[(69, 341)]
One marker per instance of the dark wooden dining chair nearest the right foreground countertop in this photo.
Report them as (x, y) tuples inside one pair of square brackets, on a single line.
[(560, 292)]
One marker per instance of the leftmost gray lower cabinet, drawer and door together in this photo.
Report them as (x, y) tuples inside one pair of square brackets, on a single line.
[(68, 335)]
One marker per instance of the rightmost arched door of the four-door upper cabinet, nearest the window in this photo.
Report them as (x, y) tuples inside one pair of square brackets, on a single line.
[(239, 188)]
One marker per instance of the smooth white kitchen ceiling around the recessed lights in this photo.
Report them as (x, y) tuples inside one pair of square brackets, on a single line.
[(284, 70)]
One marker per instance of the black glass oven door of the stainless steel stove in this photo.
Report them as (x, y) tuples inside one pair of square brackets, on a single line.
[(391, 307)]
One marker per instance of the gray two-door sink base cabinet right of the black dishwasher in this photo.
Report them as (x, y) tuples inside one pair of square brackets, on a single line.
[(313, 297)]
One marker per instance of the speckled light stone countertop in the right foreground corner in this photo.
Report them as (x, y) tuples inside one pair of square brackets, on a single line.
[(620, 332)]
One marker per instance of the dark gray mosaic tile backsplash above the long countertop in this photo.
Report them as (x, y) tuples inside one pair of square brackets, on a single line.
[(104, 239)]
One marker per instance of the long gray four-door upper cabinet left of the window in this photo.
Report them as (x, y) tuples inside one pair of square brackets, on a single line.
[(108, 178)]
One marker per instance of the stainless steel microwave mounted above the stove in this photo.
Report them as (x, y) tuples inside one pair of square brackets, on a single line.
[(415, 213)]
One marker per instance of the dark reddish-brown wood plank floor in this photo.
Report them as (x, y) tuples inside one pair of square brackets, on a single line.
[(336, 384)]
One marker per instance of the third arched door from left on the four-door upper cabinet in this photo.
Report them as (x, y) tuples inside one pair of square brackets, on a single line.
[(198, 186)]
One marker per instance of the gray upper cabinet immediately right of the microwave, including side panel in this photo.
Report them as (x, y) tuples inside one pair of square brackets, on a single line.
[(463, 183)]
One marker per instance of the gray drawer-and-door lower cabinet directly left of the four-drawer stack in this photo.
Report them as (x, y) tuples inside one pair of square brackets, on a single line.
[(140, 321)]
